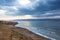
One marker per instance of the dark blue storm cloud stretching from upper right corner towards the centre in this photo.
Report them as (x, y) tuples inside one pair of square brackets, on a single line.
[(49, 5)]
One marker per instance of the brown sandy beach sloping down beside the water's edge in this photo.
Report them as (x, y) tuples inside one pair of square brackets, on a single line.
[(9, 32)]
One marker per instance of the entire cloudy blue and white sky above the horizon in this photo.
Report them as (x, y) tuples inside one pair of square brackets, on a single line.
[(29, 9)]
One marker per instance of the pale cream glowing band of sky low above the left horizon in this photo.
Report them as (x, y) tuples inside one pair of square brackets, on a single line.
[(16, 17)]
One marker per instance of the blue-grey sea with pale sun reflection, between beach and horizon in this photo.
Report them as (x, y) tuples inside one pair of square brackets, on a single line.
[(46, 28)]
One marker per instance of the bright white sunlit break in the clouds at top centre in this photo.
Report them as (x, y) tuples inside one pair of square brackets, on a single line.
[(28, 4)]
